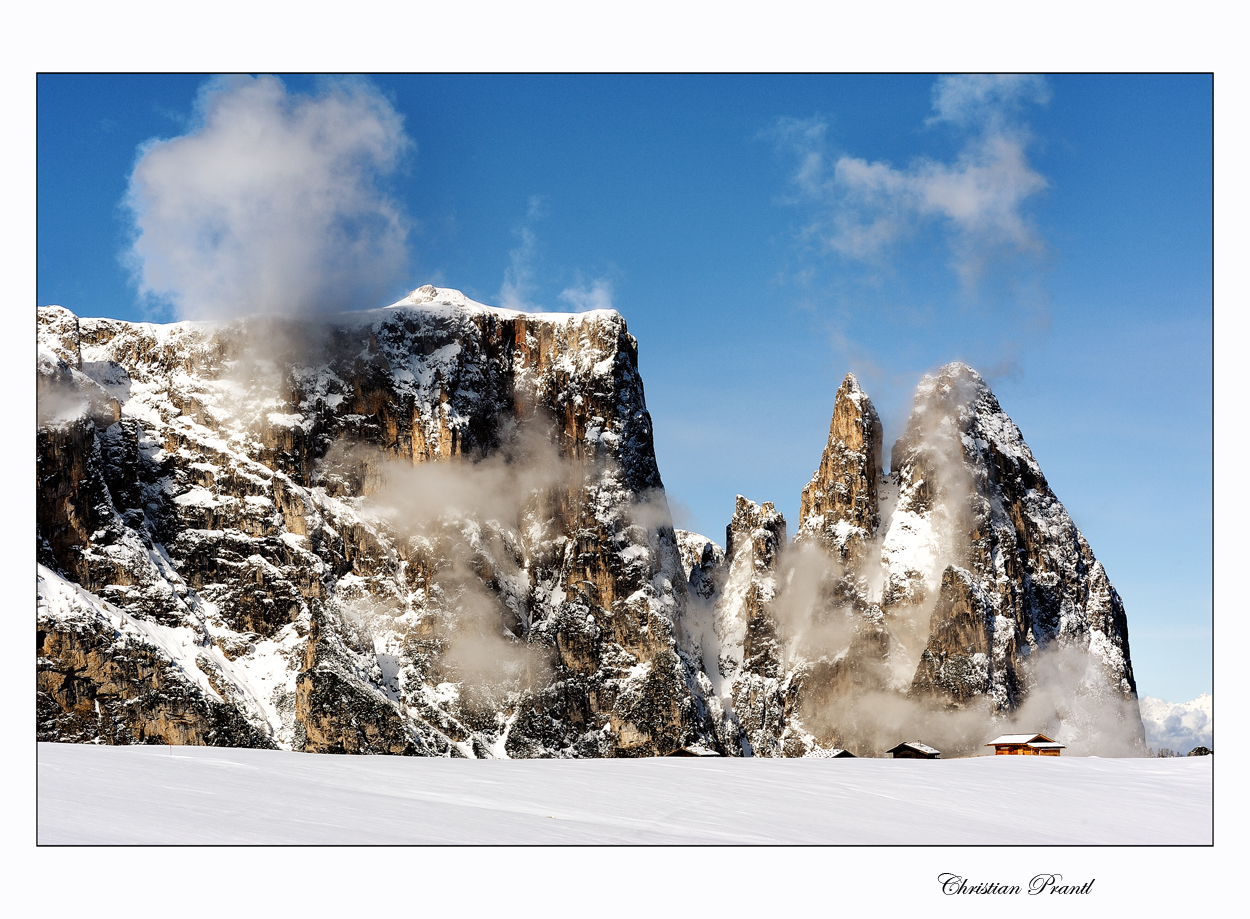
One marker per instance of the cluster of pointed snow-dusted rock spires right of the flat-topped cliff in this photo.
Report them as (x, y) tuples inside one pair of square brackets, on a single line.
[(947, 601)]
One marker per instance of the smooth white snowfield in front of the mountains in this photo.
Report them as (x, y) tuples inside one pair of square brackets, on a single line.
[(212, 796)]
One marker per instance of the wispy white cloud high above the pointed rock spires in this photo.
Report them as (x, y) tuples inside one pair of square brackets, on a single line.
[(978, 201)]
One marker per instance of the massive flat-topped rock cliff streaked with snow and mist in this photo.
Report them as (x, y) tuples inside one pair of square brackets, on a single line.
[(244, 502)]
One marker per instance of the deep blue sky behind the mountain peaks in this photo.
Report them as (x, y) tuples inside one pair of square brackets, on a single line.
[(764, 236)]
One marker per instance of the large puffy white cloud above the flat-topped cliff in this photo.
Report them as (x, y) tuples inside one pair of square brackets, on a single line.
[(271, 203)]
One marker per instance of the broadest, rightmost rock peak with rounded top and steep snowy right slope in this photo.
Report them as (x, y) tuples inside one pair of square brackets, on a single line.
[(1023, 577)]
